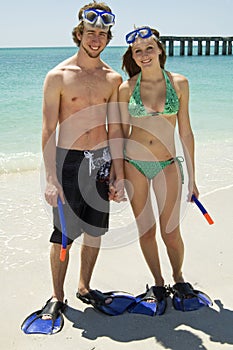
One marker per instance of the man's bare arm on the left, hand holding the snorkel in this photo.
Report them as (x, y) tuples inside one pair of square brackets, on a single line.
[(51, 104)]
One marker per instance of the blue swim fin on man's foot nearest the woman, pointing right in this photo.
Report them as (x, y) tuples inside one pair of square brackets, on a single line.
[(121, 301)]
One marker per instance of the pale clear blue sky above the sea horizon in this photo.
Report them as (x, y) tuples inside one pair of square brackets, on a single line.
[(45, 23)]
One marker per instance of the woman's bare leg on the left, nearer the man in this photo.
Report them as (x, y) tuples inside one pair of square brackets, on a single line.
[(138, 189)]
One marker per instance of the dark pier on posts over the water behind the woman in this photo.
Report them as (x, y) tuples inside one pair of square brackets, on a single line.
[(186, 45)]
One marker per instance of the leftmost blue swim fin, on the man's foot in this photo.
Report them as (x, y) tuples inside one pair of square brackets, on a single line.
[(34, 324)]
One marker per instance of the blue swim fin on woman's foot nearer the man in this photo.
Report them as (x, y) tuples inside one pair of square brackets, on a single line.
[(152, 302)]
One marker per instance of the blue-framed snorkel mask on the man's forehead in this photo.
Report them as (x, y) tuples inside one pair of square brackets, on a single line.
[(98, 18)]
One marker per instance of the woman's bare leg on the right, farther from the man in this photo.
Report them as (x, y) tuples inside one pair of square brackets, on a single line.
[(167, 187)]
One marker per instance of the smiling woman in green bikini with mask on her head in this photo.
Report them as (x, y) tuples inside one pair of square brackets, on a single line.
[(152, 102)]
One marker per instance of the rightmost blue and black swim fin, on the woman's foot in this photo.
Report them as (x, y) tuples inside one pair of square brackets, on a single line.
[(185, 298)]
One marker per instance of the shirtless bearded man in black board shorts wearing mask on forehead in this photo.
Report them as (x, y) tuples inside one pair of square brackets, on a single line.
[(78, 94)]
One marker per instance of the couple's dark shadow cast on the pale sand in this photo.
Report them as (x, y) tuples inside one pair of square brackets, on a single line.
[(166, 329)]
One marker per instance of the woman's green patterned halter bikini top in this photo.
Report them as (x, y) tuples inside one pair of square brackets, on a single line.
[(136, 108)]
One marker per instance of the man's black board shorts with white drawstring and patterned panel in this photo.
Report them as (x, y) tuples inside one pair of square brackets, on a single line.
[(84, 176)]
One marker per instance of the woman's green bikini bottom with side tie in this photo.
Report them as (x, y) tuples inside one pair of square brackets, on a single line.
[(151, 169)]
